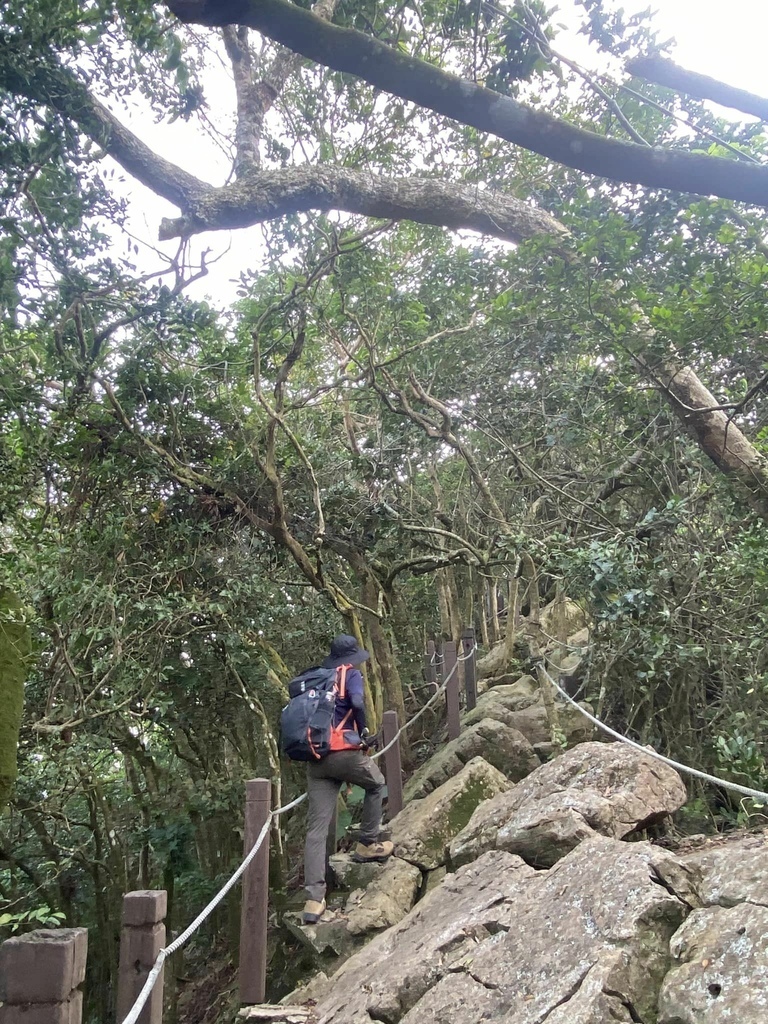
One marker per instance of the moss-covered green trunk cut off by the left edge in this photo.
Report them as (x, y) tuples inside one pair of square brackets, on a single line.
[(15, 654)]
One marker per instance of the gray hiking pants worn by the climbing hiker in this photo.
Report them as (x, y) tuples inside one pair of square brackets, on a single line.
[(324, 782)]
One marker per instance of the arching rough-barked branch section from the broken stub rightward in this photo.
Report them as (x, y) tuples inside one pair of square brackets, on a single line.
[(268, 195)]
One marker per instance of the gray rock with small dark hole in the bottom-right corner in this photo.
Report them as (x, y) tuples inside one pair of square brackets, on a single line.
[(721, 972)]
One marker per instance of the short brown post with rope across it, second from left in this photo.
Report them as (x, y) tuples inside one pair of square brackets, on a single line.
[(142, 938)]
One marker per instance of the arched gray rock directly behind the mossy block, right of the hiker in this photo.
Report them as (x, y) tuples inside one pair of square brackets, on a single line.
[(506, 749)]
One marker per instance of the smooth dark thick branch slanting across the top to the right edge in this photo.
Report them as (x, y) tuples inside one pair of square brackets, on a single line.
[(415, 80)]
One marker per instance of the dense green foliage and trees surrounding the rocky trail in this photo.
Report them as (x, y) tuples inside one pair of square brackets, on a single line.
[(391, 424)]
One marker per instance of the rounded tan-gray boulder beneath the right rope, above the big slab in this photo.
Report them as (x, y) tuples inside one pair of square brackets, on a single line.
[(608, 789)]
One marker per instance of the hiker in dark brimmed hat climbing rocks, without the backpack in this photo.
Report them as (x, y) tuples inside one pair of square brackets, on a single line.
[(349, 763)]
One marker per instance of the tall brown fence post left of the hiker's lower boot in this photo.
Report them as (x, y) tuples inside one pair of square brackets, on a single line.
[(255, 897)]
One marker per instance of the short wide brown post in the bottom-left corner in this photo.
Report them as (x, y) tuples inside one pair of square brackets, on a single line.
[(40, 977)]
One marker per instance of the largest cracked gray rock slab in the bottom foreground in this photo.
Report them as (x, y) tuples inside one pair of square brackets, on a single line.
[(586, 943)]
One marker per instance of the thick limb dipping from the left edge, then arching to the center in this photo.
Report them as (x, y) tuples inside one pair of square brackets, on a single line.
[(264, 196)]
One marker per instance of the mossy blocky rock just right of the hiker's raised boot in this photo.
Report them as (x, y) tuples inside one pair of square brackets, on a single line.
[(424, 829)]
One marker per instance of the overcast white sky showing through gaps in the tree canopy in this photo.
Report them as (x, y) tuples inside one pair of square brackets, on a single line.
[(727, 40)]
